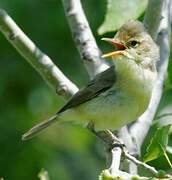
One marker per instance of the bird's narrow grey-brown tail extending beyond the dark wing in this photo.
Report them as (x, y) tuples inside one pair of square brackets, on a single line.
[(39, 127)]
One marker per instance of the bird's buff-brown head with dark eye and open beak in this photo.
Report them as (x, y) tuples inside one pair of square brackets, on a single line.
[(133, 41)]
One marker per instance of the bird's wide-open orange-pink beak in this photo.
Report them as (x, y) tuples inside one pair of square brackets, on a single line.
[(118, 45)]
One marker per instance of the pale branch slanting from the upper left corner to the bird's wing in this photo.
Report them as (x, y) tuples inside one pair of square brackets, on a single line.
[(40, 61)]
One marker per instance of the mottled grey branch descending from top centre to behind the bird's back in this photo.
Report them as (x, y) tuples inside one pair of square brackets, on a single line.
[(83, 37)]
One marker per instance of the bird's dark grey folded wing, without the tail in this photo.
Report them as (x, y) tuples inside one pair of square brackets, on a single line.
[(99, 84)]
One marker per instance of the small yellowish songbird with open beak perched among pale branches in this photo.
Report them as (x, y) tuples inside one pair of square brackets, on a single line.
[(120, 94)]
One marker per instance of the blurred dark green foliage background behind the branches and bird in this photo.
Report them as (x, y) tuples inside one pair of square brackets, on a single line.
[(65, 151)]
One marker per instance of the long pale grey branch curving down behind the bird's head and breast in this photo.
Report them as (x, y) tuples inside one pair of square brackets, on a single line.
[(137, 130)]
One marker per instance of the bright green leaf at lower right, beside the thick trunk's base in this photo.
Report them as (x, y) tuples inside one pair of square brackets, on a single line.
[(158, 144)]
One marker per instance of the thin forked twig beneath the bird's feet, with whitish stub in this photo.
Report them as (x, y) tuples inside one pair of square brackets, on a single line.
[(115, 150)]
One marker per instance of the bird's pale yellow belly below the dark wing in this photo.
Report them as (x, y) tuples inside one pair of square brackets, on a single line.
[(111, 110)]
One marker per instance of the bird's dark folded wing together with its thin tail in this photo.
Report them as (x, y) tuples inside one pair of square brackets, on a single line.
[(100, 83)]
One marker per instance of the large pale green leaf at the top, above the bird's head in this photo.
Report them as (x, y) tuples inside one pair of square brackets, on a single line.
[(118, 12)]
